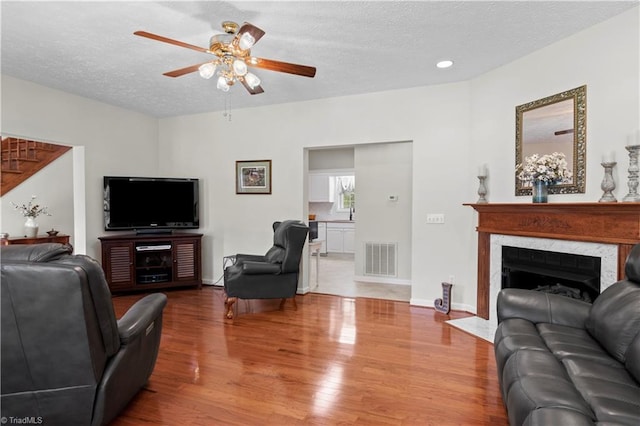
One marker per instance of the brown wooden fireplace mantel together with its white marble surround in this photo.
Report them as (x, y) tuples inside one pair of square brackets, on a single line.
[(605, 230)]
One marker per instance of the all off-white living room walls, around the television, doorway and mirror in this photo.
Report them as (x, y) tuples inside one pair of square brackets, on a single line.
[(453, 129)]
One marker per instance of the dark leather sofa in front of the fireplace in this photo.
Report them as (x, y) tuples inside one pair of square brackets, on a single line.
[(562, 361)]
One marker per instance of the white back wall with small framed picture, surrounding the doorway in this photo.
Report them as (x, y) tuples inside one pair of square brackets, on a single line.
[(429, 116)]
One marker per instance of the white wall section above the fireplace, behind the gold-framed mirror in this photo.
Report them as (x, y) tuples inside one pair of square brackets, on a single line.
[(605, 58)]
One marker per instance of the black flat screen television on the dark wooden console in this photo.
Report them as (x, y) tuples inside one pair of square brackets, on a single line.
[(150, 204)]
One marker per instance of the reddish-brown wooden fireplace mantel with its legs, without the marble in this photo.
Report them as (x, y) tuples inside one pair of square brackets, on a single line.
[(607, 223)]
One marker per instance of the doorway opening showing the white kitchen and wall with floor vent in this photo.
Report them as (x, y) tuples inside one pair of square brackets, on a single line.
[(352, 195)]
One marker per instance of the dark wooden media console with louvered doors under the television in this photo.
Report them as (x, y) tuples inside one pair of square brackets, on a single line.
[(134, 262)]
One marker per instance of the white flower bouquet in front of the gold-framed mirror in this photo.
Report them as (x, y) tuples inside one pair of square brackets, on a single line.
[(549, 168)]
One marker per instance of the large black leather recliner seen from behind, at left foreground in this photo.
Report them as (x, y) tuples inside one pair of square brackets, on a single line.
[(65, 358)]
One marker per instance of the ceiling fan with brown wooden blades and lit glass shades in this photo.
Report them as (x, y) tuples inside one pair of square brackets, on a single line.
[(233, 57)]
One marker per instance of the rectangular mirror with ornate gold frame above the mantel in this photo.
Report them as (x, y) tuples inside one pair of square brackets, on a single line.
[(557, 123)]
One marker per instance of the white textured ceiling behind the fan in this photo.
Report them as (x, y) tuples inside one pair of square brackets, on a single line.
[(88, 48)]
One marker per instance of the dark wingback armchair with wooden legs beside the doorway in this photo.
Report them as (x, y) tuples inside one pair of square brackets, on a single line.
[(270, 276)]
